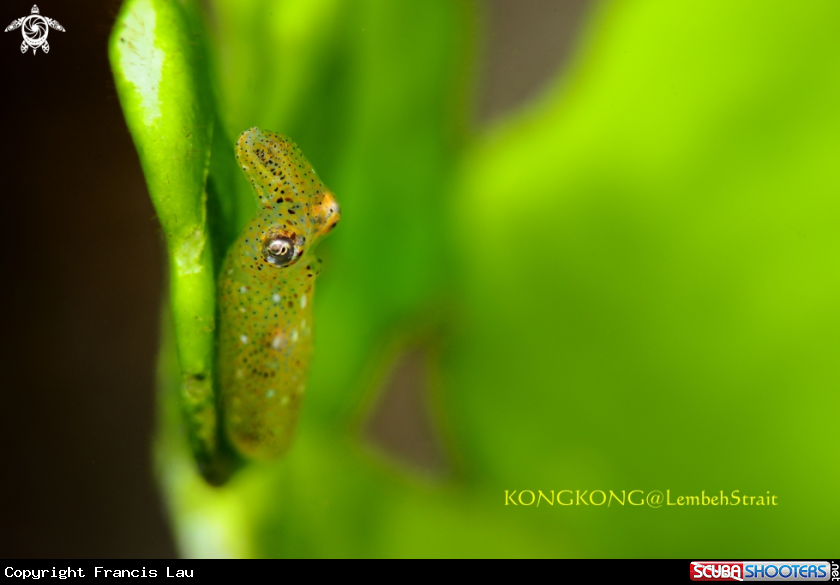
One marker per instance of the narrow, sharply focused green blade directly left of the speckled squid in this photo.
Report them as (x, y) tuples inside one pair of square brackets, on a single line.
[(158, 67)]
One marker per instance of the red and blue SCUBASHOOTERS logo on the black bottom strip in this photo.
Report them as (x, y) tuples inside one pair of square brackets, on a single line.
[(762, 571)]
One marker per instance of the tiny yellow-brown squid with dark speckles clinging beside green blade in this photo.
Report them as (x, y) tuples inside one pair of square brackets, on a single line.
[(265, 328)]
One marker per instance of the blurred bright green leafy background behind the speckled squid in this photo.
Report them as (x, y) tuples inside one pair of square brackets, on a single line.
[(623, 282)]
